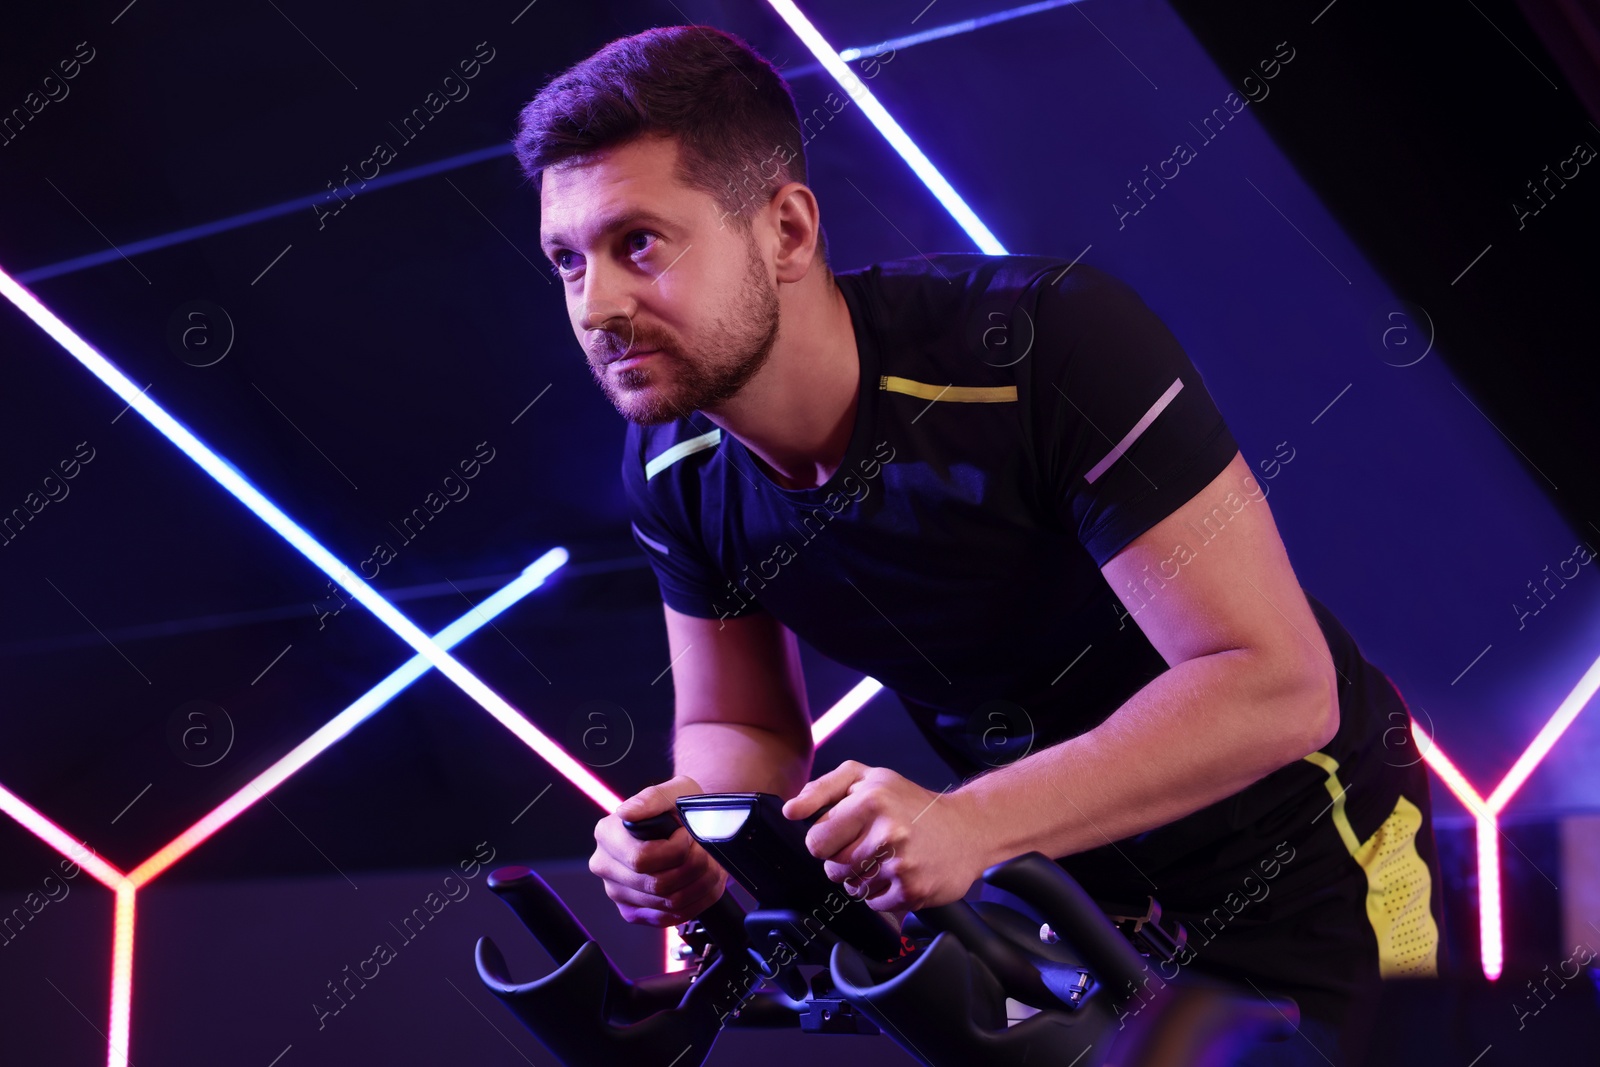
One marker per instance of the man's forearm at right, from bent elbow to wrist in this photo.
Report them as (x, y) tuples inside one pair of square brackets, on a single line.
[(1198, 733)]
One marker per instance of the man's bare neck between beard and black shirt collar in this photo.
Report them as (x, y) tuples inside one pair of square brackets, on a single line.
[(798, 415)]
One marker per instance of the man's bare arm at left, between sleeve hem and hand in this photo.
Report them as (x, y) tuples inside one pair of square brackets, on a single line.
[(742, 721)]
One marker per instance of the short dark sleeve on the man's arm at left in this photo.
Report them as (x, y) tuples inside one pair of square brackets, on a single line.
[(662, 519)]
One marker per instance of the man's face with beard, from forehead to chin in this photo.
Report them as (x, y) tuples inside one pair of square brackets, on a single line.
[(674, 306)]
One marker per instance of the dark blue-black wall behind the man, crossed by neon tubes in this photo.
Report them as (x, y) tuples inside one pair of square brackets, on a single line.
[(1308, 257)]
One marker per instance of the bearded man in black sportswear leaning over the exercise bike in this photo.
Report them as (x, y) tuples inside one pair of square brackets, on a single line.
[(1002, 489)]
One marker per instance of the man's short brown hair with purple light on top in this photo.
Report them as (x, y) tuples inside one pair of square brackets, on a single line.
[(730, 111)]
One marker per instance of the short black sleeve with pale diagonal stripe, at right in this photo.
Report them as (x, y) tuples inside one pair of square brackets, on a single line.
[(1126, 428)]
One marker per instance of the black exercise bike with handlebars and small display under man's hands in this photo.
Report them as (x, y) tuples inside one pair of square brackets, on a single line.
[(956, 986)]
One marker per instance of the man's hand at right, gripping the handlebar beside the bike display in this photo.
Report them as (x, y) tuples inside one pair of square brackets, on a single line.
[(890, 841)]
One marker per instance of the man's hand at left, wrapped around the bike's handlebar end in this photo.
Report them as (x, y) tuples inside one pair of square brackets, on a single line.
[(657, 884)]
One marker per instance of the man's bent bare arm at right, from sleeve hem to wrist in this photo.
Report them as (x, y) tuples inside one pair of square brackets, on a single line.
[(1250, 689)]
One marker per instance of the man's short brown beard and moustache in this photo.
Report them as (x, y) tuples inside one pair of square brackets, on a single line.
[(681, 385)]
